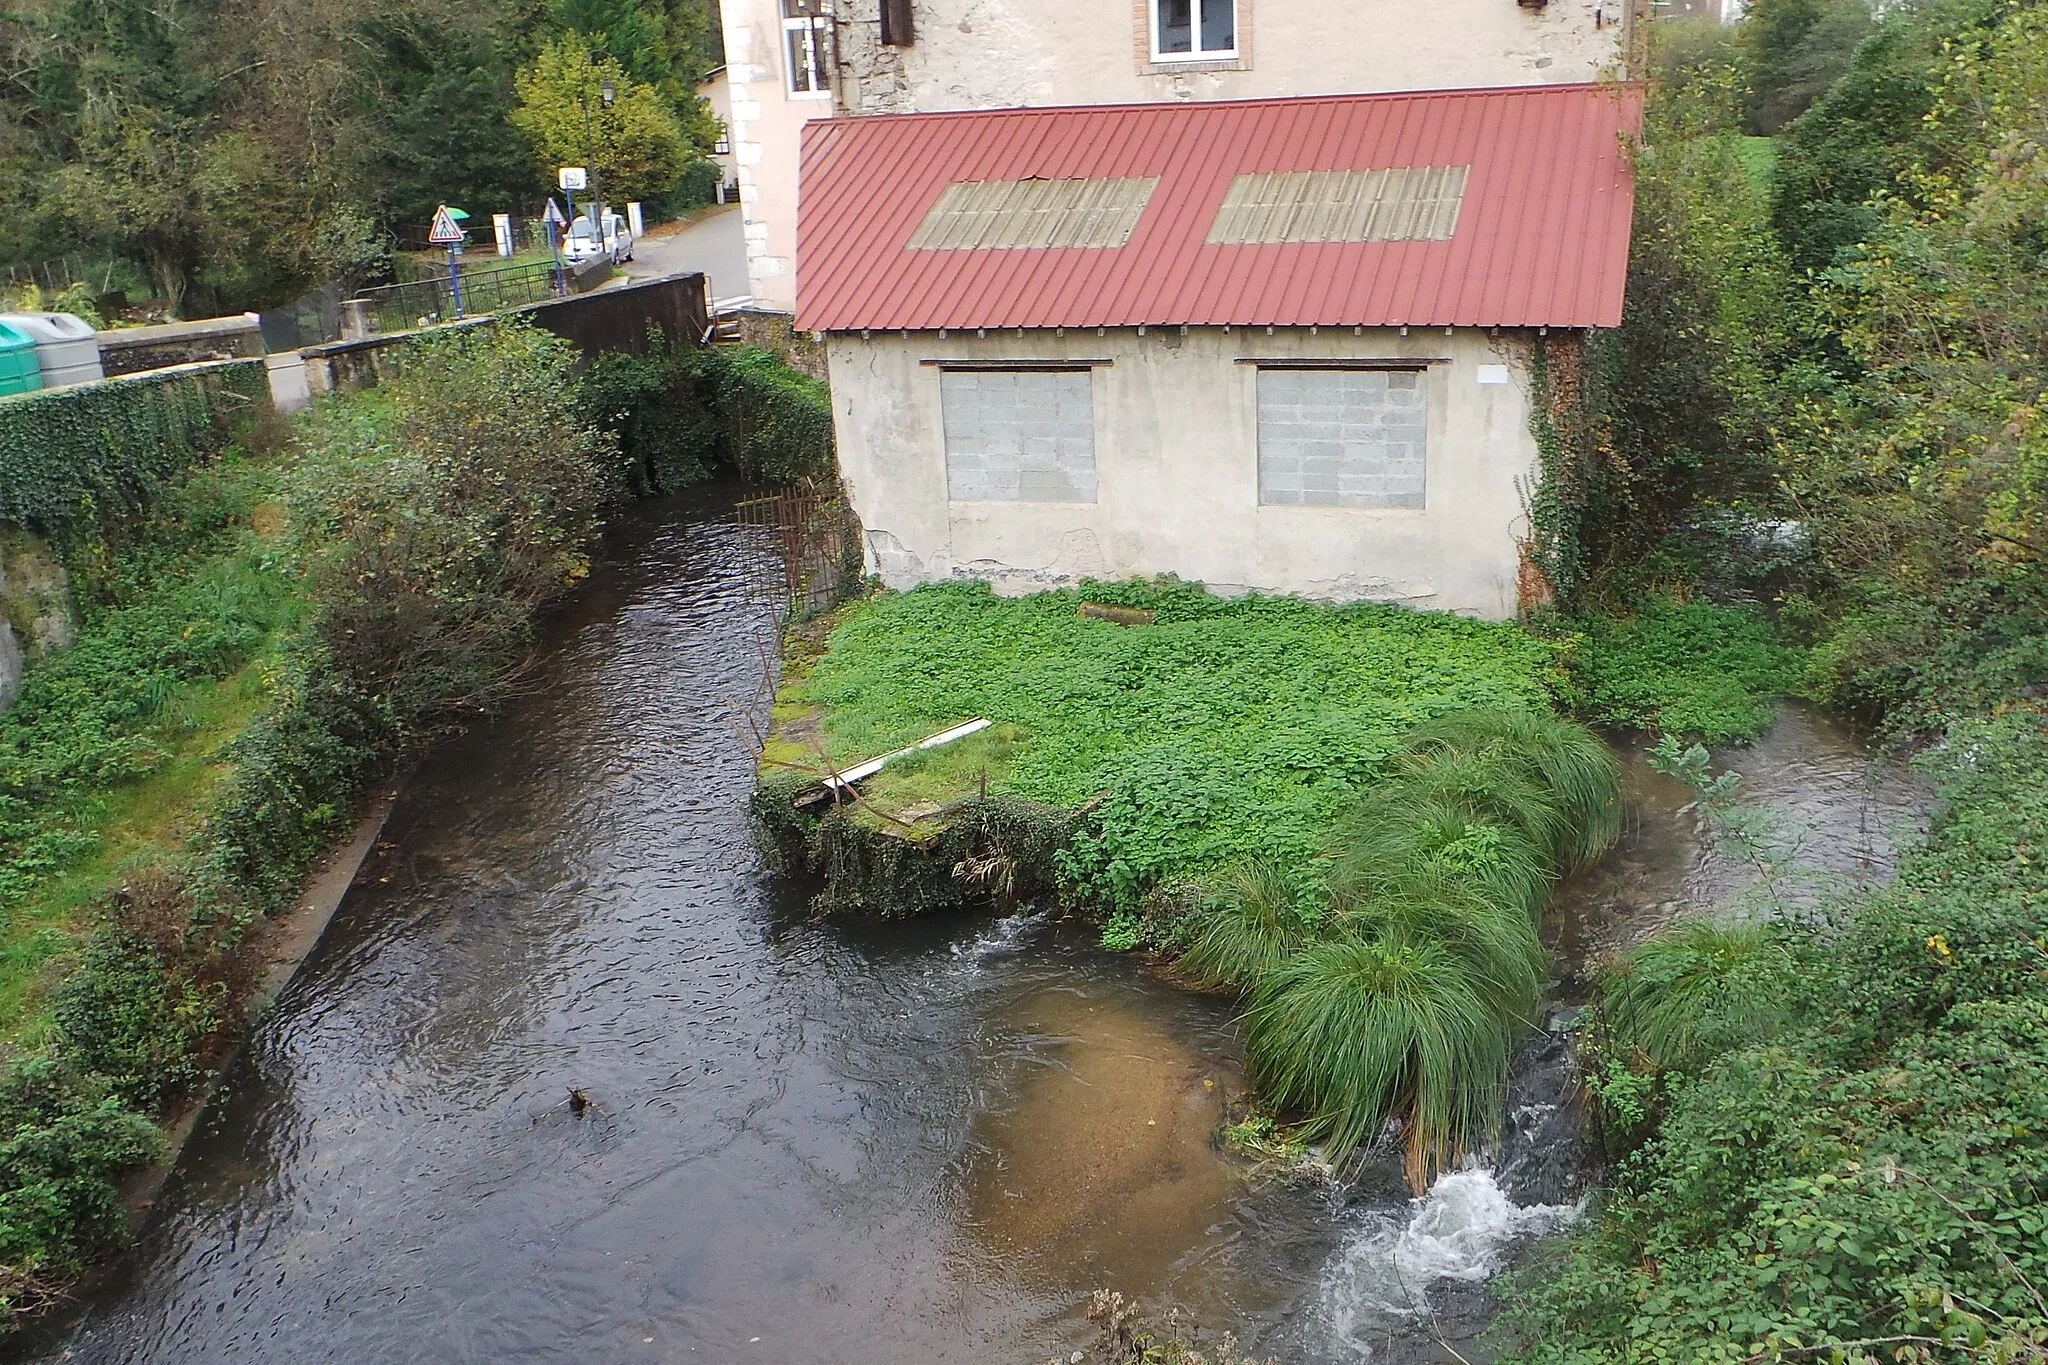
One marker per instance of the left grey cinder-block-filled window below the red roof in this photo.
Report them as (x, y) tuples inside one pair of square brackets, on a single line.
[(1019, 435)]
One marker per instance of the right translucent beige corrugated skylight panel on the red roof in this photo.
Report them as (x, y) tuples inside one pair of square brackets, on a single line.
[(1408, 204)]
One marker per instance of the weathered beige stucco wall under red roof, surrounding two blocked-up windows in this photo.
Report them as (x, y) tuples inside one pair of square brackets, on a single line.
[(1177, 464)]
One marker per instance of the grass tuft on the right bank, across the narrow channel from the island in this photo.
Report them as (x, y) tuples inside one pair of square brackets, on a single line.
[(1695, 989)]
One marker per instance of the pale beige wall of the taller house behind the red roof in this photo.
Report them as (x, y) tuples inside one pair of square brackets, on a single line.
[(996, 54)]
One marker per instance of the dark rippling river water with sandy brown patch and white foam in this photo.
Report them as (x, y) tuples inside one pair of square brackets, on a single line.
[(804, 1141)]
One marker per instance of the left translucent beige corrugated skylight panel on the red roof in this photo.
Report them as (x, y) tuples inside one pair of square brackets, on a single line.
[(1033, 214)]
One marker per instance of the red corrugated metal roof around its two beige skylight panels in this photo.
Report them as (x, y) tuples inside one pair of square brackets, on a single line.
[(1543, 236)]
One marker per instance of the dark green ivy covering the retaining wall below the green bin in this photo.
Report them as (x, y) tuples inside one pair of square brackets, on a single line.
[(75, 457)]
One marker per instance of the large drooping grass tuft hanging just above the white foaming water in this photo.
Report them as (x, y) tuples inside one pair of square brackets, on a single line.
[(1359, 1032)]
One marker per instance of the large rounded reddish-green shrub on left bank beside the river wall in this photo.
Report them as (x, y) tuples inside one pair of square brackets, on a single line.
[(435, 513)]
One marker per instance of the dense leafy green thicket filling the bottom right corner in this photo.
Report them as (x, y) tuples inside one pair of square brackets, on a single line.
[(1861, 1161)]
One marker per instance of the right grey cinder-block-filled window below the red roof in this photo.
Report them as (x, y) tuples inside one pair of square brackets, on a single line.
[(1345, 437)]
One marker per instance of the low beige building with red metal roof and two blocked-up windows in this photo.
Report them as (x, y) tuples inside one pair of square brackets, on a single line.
[(1269, 345)]
